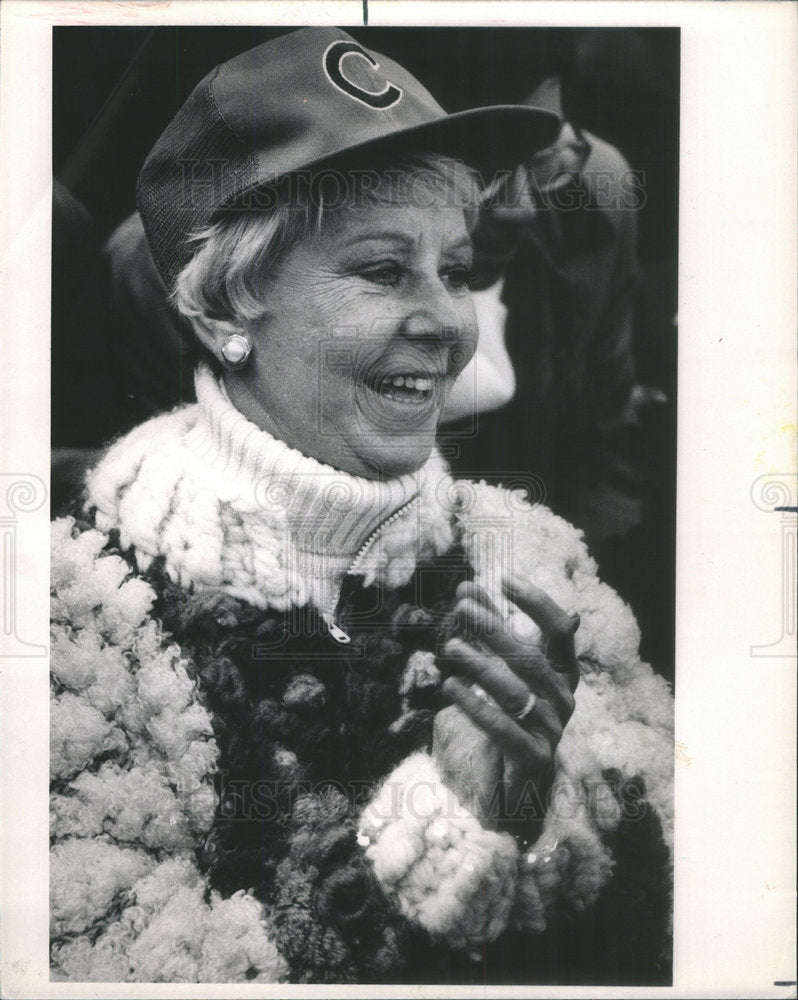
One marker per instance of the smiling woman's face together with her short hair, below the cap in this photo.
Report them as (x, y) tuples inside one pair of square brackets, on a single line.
[(371, 274)]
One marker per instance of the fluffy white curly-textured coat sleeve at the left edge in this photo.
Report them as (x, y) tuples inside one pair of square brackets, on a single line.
[(132, 754)]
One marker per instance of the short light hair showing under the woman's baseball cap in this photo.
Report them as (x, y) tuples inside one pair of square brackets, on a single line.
[(224, 278)]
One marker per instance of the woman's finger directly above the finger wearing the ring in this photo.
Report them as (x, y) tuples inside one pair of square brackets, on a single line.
[(526, 661)]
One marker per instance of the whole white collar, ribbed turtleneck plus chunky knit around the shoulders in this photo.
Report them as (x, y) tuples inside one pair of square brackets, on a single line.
[(228, 506)]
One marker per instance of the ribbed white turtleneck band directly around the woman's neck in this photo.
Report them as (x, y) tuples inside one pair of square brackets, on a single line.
[(330, 513)]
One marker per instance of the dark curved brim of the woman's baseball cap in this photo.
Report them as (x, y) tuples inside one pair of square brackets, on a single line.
[(490, 139)]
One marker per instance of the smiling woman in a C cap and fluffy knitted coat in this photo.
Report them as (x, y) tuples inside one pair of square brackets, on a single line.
[(317, 708)]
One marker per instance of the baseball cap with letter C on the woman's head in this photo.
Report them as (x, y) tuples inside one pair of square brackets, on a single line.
[(302, 101)]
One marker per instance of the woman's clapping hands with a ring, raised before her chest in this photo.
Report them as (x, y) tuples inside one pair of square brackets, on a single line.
[(512, 698)]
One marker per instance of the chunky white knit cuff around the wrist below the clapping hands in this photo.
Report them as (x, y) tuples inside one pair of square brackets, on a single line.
[(434, 859)]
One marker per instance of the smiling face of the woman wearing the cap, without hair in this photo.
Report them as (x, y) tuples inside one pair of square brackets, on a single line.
[(367, 324)]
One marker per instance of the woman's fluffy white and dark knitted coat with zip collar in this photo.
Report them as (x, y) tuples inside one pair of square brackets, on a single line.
[(238, 796)]
